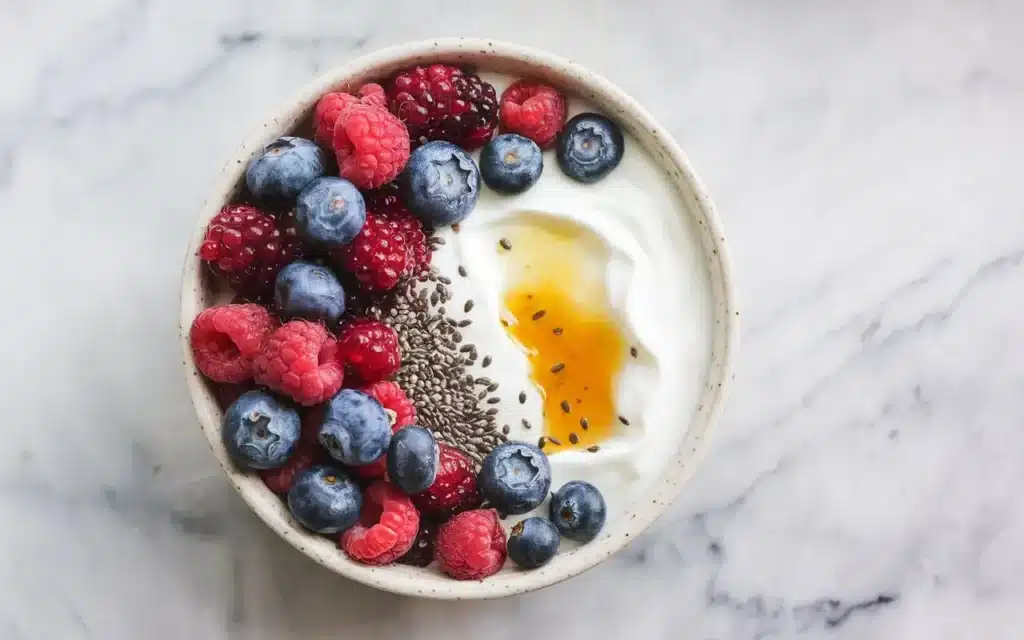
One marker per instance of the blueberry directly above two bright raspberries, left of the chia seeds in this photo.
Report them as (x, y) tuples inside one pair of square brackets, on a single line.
[(311, 292)]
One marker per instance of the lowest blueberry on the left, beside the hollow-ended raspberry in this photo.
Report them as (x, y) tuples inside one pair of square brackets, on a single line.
[(325, 500)]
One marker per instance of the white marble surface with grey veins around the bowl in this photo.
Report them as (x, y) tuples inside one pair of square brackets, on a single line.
[(867, 480)]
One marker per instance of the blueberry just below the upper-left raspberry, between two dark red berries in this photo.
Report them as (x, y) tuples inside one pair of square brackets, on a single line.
[(330, 212)]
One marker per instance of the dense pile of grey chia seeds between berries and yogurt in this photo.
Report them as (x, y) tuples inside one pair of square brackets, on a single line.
[(437, 371)]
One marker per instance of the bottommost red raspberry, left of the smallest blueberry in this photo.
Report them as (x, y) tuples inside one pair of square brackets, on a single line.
[(472, 545)]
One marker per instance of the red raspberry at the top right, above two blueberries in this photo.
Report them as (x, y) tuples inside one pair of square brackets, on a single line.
[(534, 111)]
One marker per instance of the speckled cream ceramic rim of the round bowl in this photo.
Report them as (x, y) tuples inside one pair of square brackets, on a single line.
[(198, 293)]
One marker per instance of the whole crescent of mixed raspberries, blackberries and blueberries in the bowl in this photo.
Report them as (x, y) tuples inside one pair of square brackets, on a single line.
[(307, 383)]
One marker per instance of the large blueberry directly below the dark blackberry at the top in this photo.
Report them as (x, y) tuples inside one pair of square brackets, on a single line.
[(441, 184)]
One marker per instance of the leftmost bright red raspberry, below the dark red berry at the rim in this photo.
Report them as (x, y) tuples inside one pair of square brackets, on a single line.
[(226, 339)]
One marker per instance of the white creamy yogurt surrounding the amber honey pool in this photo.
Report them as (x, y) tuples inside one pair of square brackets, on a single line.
[(656, 278)]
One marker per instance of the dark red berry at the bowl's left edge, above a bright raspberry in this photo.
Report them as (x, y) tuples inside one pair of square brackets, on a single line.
[(247, 248)]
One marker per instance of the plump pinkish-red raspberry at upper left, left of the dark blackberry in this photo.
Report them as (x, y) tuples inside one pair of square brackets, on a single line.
[(371, 145)]
